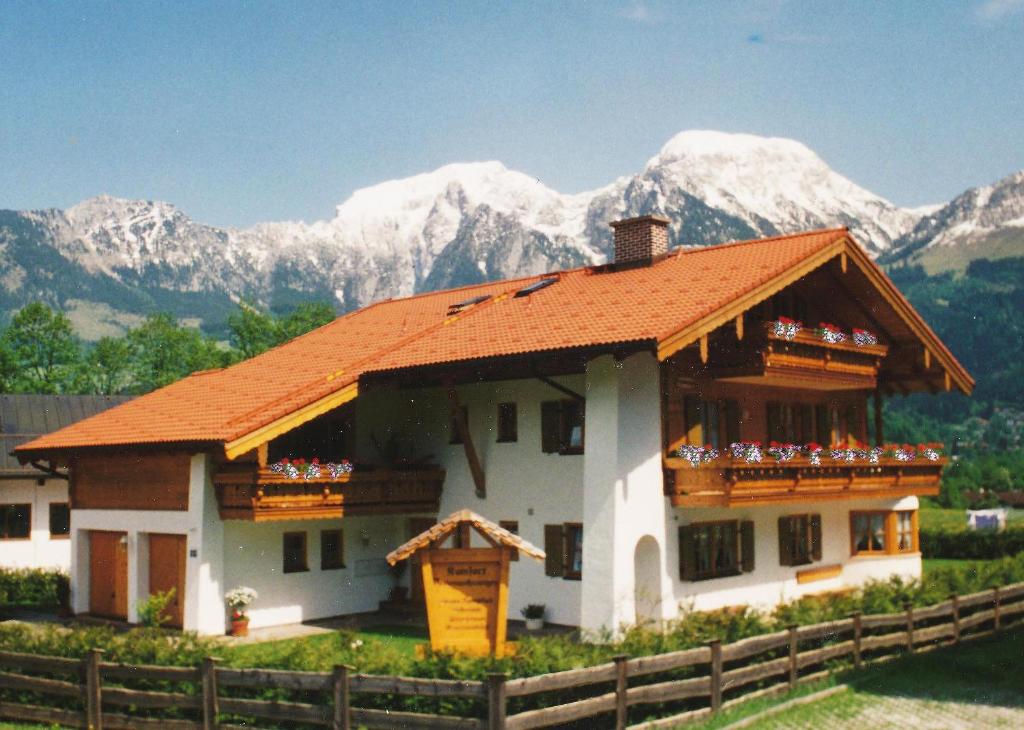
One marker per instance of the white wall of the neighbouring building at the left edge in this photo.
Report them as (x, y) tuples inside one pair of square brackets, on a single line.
[(39, 551)]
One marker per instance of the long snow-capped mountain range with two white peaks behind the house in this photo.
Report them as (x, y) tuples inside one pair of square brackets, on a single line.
[(459, 225)]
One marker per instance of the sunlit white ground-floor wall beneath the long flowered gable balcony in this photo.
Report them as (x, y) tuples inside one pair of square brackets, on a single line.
[(771, 583)]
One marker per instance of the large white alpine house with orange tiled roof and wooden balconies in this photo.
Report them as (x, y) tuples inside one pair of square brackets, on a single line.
[(696, 428)]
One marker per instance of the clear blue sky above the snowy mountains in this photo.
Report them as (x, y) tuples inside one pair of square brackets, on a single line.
[(240, 113)]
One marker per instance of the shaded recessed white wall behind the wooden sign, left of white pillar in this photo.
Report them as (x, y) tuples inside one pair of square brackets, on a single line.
[(524, 484)]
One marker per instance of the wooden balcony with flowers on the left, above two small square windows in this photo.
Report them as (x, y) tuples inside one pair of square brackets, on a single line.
[(259, 495)]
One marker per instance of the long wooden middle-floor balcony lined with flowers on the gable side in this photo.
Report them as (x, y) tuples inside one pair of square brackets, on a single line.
[(734, 483)]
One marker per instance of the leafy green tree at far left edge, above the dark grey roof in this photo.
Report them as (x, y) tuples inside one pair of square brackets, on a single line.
[(44, 351)]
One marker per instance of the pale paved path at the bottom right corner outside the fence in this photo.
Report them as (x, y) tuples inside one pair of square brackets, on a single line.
[(861, 711)]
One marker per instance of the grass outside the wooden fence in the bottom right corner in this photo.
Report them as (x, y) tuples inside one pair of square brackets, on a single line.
[(978, 684)]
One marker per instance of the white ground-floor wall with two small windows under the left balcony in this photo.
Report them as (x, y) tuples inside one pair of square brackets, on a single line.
[(254, 557)]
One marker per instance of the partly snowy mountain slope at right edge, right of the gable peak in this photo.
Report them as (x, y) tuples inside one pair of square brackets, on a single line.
[(987, 222)]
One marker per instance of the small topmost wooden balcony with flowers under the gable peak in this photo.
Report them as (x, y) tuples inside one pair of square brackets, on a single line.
[(807, 362)]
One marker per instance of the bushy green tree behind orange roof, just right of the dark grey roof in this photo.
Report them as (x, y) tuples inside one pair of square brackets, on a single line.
[(163, 352)]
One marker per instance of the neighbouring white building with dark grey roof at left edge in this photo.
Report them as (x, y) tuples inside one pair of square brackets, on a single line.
[(35, 521)]
